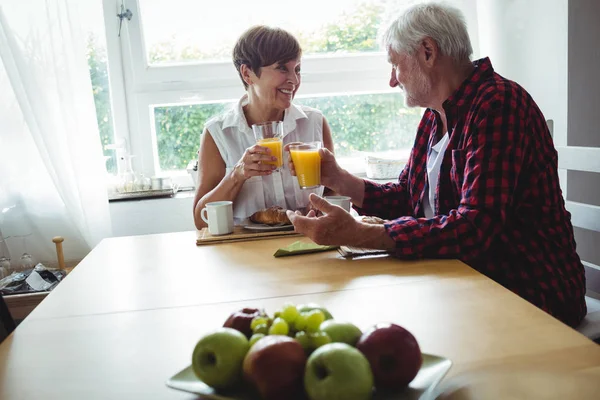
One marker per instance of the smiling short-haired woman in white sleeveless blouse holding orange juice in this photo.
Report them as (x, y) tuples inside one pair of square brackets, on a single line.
[(231, 165)]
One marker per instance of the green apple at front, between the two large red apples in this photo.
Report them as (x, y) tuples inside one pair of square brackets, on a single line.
[(338, 371)]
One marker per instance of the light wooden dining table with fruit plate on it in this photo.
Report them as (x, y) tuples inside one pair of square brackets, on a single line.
[(128, 316)]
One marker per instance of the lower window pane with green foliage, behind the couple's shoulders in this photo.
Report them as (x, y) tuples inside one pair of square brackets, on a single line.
[(366, 123)]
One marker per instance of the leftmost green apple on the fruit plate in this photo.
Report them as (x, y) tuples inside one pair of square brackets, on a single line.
[(218, 357)]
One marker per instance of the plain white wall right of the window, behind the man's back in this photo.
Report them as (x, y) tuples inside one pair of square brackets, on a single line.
[(526, 41)]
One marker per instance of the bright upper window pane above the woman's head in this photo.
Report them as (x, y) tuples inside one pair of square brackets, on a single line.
[(172, 36)]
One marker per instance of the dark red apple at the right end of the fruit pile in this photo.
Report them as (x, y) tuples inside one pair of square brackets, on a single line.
[(393, 353)]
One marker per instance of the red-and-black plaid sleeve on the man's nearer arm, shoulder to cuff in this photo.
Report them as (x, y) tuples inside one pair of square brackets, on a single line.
[(493, 158)]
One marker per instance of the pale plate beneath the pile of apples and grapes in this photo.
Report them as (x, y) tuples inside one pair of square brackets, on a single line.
[(432, 371)]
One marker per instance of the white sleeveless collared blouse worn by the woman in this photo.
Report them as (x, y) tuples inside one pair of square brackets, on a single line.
[(233, 136)]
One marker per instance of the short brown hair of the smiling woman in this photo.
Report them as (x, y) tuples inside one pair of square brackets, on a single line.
[(261, 45)]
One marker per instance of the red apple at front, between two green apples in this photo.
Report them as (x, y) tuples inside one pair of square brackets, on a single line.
[(275, 367)]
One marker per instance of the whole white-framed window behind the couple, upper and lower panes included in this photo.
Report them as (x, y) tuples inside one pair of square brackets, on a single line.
[(177, 73)]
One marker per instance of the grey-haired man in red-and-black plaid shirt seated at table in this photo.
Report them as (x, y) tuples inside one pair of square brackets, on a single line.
[(481, 184)]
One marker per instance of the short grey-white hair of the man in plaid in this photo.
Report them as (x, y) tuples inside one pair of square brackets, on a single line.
[(441, 22)]
